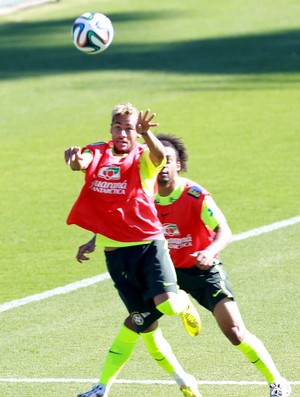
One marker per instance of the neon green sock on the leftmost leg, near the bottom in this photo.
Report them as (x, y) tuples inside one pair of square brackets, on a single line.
[(119, 352)]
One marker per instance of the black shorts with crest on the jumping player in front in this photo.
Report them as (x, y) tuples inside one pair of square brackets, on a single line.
[(141, 272)]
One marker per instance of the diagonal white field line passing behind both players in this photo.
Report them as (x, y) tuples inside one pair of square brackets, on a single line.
[(104, 276)]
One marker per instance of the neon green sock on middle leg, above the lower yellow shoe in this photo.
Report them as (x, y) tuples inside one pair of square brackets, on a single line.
[(161, 351)]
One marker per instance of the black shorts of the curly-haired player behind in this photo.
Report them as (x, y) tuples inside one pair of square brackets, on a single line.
[(207, 287)]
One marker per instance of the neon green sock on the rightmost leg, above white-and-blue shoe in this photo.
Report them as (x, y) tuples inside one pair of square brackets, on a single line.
[(256, 352)]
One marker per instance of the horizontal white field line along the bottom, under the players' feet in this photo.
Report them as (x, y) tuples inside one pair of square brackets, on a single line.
[(128, 381)]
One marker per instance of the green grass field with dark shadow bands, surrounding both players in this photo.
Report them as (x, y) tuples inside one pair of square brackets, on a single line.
[(225, 76)]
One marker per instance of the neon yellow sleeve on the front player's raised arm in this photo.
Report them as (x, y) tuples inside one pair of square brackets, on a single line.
[(149, 172)]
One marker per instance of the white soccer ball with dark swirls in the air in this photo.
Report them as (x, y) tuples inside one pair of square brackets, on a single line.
[(92, 32)]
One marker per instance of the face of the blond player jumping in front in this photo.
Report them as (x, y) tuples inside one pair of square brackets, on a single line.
[(124, 133)]
